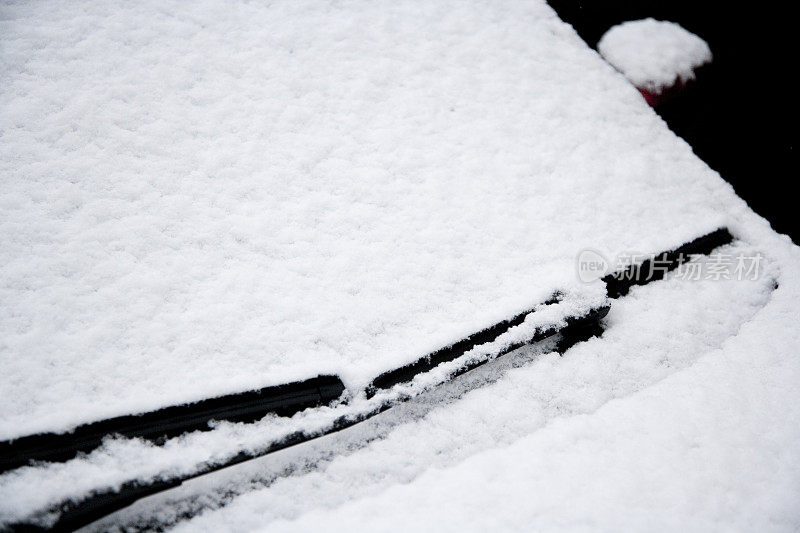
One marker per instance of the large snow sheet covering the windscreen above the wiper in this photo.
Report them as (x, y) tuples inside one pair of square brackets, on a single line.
[(208, 199)]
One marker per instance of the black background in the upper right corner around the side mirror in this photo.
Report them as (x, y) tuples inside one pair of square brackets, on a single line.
[(739, 114)]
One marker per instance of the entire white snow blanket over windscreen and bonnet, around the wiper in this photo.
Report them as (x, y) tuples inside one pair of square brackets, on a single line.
[(201, 199)]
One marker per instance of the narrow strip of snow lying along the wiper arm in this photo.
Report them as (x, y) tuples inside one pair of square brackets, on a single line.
[(28, 490)]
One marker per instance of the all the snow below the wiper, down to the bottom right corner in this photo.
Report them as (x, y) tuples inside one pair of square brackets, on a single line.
[(683, 415)]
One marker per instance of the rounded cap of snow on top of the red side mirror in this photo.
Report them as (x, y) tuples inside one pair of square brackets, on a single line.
[(654, 54)]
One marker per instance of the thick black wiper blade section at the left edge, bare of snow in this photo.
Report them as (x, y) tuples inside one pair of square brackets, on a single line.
[(283, 400)]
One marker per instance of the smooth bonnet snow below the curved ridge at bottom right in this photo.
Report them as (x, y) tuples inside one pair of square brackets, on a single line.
[(710, 449)]
